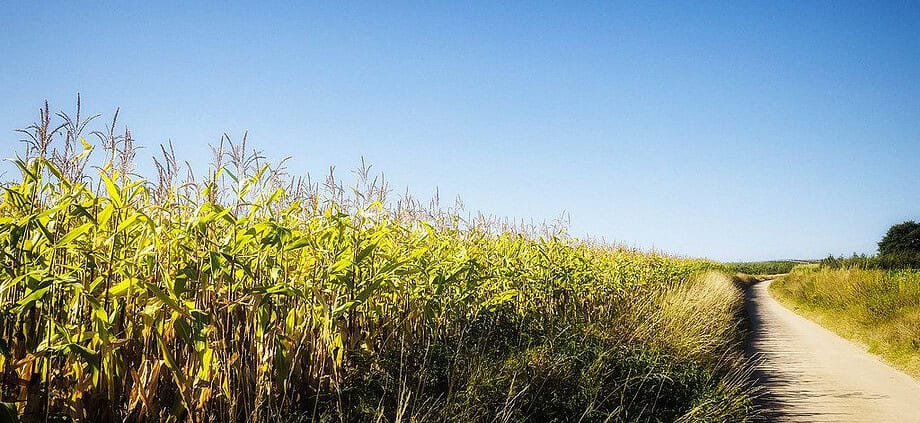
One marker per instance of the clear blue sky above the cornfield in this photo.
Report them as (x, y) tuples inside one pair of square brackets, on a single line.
[(731, 131)]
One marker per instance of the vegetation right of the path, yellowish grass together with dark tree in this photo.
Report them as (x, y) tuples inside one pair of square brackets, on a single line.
[(872, 299)]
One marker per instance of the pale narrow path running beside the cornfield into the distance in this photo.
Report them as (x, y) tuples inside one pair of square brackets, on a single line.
[(809, 374)]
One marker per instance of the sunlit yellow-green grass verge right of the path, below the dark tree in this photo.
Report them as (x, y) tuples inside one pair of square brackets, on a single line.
[(877, 307)]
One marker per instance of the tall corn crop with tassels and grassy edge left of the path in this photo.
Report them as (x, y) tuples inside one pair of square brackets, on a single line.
[(248, 295)]
